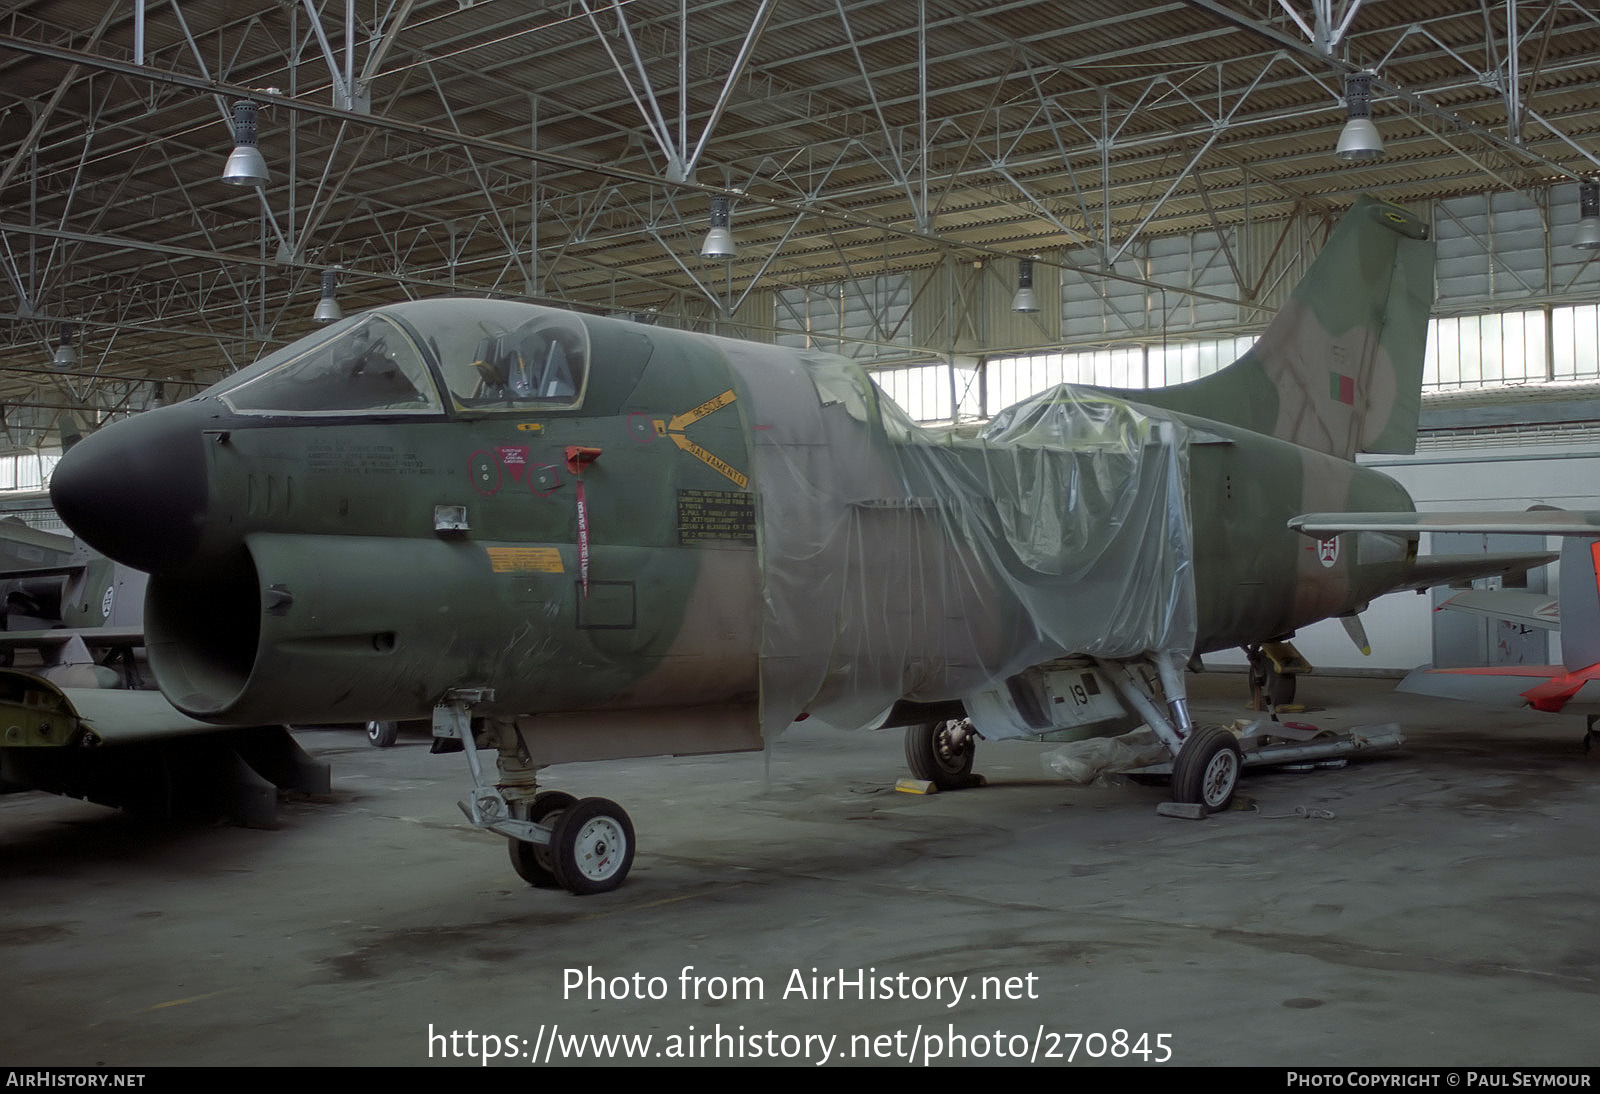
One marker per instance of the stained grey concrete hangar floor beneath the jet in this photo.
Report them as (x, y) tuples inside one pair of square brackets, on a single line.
[(1444, 916)]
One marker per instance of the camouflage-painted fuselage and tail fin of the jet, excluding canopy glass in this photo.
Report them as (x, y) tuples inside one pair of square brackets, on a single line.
[(300, 573)]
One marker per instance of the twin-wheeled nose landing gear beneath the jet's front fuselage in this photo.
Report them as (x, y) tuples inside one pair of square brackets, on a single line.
[(582, 845)]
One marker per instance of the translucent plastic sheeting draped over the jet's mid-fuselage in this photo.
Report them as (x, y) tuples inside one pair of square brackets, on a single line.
[(913, 564)]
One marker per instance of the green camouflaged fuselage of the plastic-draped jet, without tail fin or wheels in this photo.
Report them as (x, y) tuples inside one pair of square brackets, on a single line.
[(348, 564)]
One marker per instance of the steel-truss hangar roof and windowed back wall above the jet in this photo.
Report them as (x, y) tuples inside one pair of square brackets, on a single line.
[(884, 172)]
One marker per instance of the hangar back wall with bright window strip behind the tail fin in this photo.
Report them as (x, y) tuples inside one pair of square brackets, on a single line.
[(1516, 305)]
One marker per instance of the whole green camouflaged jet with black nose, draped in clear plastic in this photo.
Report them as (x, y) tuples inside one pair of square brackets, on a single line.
[(574, 538)]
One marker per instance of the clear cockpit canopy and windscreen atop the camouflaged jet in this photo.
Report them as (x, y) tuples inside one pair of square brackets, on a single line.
[(492, 356)]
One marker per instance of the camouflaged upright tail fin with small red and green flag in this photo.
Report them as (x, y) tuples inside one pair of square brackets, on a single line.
[(1340, 369)]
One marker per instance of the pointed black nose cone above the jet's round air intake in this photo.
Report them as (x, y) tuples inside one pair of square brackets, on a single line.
[(137, 492)]
